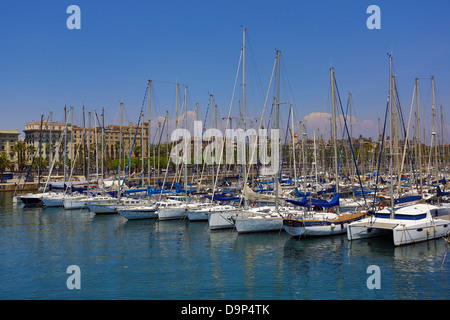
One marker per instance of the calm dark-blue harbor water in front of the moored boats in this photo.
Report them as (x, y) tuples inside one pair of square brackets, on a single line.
[(182, 260)]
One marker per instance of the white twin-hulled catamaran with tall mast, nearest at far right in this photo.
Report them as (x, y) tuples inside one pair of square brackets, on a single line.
[(406, 223)]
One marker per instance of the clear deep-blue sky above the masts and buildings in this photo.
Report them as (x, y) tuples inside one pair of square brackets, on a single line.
[(122, 44)]
